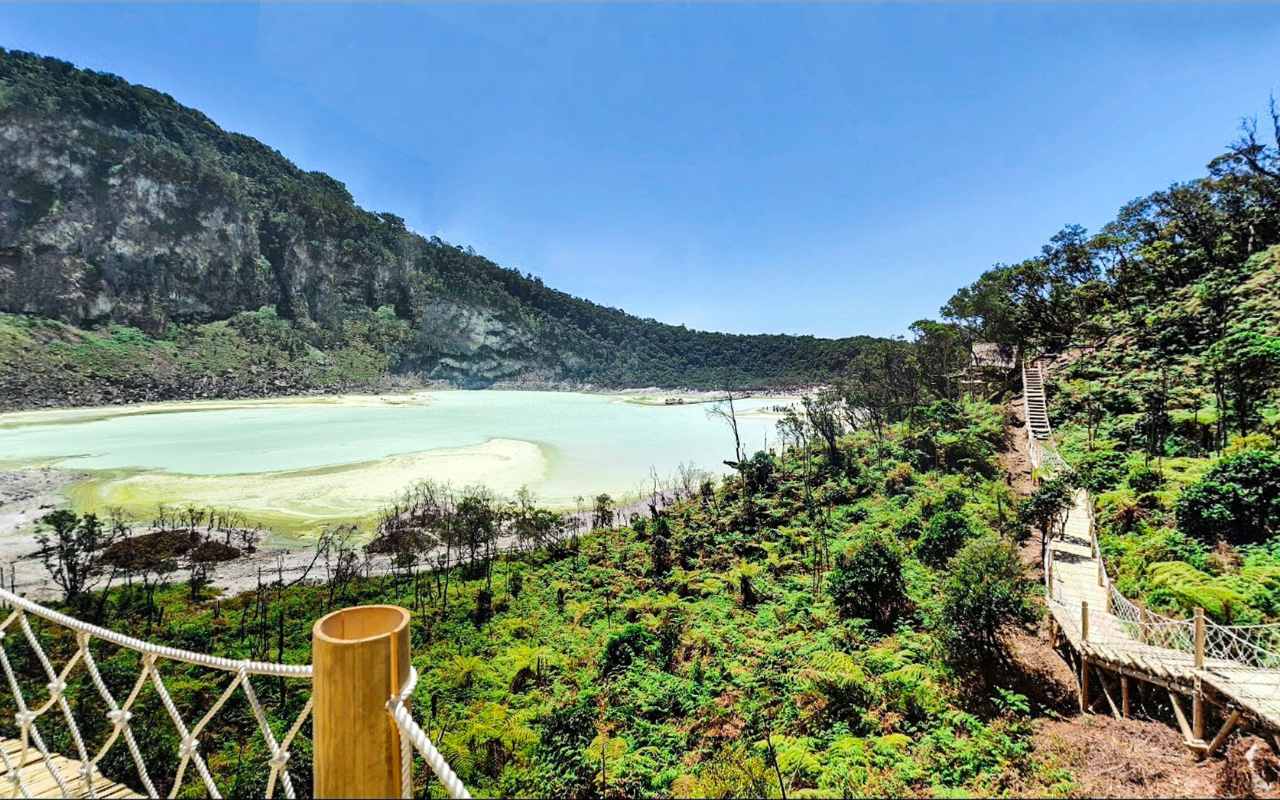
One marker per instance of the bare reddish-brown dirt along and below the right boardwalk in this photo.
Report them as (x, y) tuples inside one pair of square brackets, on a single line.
[(1107, 757)]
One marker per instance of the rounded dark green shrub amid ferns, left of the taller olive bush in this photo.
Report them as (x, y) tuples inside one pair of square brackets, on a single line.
[(867, 580)]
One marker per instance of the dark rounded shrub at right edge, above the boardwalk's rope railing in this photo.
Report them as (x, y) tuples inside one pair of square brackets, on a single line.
[(1237, 501)]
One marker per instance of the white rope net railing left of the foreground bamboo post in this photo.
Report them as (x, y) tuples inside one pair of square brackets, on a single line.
[(122, 708)]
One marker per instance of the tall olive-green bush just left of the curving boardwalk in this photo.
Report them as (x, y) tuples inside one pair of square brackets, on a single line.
[(986, 592)]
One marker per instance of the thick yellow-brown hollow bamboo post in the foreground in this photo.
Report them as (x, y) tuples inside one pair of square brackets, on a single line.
[(362, 659)]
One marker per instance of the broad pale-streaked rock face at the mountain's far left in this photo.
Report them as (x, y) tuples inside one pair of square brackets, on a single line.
[(95, 231)]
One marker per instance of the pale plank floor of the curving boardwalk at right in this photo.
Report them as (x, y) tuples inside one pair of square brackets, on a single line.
[(1076, 579)]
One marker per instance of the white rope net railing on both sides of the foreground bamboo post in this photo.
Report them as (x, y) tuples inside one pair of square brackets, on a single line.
[(108, 701)]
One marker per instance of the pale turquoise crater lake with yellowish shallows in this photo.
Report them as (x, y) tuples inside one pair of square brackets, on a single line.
[(319, 459)]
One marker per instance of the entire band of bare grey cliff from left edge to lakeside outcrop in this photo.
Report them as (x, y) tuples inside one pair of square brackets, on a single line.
[(100, 227)]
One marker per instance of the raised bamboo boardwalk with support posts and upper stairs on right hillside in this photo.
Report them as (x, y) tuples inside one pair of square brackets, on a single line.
[(1235, 669)]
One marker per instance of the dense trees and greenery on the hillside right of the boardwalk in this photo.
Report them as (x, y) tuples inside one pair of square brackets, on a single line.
[(1165, 391)]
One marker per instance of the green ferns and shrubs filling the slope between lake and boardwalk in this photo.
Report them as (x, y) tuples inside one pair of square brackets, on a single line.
[(810, 627)]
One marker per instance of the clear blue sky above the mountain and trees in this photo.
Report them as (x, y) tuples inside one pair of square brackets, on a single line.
[(828, 170)]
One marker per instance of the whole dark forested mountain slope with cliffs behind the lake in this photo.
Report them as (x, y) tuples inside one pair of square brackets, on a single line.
[(124, 208)]
